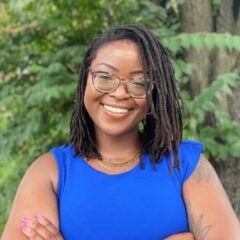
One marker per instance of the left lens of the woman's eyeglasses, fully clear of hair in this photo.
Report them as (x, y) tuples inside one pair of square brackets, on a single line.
[(105, 82)]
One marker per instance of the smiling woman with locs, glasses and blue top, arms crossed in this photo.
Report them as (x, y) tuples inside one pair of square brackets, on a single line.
[(112, 180)]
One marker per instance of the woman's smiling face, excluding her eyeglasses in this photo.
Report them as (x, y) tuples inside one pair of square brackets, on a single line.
[(115, 113)]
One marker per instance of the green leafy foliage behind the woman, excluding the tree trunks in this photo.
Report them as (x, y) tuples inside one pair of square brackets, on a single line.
[(41, 46)]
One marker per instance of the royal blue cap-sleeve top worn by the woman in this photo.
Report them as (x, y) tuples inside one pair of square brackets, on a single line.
[(134, 205)]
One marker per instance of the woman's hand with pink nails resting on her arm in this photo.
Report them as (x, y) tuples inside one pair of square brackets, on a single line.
[(40, 229)]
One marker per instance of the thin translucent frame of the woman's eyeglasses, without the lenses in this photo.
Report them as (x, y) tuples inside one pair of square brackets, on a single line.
[(121, 79)]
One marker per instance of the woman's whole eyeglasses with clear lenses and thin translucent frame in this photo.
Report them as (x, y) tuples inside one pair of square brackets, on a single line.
[(105, 83)]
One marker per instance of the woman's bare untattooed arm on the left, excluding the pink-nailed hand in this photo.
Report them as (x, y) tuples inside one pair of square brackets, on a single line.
[(36, 193)]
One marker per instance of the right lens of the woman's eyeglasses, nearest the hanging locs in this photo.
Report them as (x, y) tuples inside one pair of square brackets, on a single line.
[(138, 88)]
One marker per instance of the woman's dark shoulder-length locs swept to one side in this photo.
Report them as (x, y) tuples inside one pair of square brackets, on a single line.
[(163, 125)]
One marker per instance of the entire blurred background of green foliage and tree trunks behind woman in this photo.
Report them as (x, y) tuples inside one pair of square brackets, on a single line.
[(41, 46)]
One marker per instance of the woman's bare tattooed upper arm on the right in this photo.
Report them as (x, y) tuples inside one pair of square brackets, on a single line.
[(210, 213)]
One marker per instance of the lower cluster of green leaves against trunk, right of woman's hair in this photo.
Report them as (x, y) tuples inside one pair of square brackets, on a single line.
[(222, 137)]
